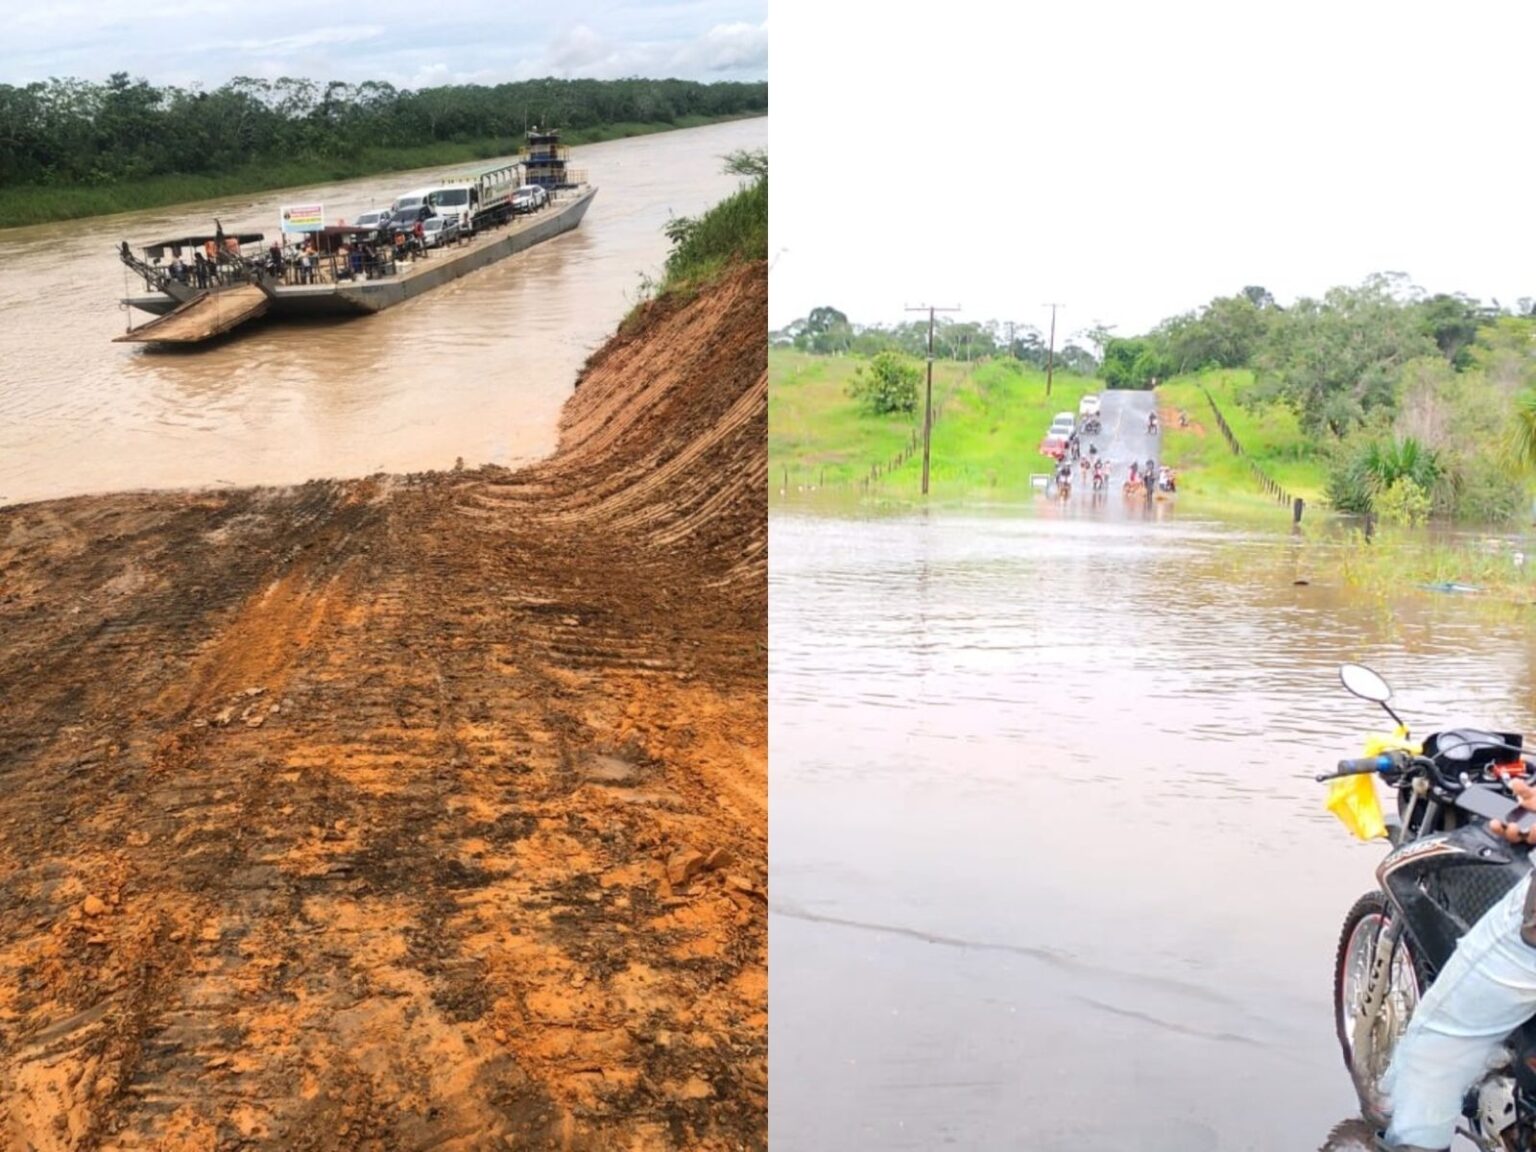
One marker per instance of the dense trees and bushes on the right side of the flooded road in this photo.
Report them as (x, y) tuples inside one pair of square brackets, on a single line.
[(1418, 405)]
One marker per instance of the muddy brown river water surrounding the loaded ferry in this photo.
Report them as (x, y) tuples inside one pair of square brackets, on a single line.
[(477, 369)]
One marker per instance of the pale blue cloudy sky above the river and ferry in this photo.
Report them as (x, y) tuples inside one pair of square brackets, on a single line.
[(405, 42)]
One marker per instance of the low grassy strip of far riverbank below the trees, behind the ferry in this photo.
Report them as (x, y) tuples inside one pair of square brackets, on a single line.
[(30, 205)]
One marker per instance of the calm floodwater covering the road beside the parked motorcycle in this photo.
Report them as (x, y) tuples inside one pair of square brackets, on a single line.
[(1050, 867)]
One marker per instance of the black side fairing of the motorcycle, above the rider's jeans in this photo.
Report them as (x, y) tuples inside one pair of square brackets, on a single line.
[(1445, 884)]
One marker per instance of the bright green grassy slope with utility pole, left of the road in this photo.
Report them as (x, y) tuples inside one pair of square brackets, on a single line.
[(987, 437)]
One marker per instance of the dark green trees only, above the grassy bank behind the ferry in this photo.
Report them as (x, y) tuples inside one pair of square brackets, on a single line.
[(90, 134)]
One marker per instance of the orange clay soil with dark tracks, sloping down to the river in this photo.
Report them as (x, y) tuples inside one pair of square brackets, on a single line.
[(403, 813)]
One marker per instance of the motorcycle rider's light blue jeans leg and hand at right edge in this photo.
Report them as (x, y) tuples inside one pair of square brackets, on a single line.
[(1486, 991)]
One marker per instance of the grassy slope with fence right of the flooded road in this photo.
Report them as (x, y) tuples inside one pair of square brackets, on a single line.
[(1271, 439)]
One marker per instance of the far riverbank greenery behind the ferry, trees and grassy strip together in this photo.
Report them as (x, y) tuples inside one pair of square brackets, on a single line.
[(70, 148)]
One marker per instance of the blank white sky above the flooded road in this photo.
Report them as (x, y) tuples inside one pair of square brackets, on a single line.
[(1134, 161)]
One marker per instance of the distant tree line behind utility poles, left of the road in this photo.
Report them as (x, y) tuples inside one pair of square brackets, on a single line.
[(829, 333)]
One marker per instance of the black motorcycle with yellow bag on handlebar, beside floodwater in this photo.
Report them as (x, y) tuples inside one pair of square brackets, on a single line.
[(1445, 870)]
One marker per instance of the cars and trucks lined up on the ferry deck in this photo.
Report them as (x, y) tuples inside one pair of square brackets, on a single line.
[(458, 207)]
